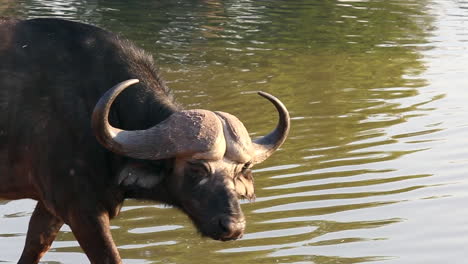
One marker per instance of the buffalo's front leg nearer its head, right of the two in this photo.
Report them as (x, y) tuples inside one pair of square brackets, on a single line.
[(93, 233)]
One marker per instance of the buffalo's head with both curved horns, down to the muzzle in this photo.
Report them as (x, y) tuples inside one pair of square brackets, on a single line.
[(212, 154)]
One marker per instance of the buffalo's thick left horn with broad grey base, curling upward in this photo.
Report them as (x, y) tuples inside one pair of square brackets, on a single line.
[(182, 133)]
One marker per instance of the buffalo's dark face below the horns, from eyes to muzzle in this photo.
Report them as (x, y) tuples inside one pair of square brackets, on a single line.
[(209, 191)]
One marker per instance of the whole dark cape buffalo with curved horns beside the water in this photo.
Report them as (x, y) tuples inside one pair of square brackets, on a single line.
[(80, 149)]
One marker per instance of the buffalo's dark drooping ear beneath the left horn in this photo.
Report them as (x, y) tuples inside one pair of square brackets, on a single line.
[(142, 175)]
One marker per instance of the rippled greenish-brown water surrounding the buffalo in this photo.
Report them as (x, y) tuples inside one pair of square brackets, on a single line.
[(375, 166)]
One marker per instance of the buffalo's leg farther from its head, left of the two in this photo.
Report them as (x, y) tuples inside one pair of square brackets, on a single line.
[(43, 228)]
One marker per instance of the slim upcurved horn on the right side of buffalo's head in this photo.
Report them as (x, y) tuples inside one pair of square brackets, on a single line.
[(266, 145)]
